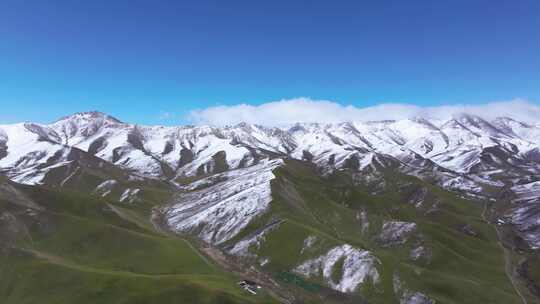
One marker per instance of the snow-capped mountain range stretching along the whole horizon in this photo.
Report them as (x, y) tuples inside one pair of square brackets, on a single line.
[(468, 149)]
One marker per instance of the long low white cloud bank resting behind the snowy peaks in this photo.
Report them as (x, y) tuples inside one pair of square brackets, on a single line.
[(290, 111)]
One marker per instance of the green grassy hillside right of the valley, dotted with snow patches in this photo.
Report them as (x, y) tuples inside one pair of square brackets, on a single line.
[(462, 268)]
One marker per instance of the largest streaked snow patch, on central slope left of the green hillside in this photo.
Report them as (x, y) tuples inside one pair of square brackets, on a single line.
[(220, 211)]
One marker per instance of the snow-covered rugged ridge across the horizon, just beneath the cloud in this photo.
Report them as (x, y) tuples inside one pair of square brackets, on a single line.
[(106, 137)]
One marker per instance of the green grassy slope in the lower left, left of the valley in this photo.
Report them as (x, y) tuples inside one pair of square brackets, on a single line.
[(78, 250)]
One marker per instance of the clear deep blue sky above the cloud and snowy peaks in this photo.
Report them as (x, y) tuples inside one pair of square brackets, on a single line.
[(140, 59)]
